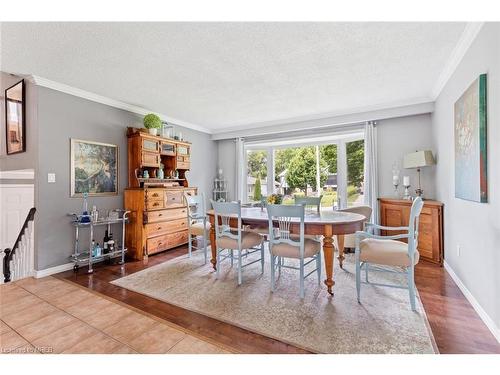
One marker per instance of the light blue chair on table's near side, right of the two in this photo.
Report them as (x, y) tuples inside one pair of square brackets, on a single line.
[(282, 244)]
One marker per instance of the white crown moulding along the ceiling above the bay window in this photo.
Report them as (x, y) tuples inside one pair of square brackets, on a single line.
[(354, 116)]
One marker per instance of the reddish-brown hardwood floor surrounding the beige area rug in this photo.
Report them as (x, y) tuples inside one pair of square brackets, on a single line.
[(455, 325)]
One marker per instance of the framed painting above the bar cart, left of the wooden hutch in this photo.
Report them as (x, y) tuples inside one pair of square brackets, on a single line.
[(94, 168)]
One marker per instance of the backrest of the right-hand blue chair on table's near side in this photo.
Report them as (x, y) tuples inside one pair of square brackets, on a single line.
[(285, 215)]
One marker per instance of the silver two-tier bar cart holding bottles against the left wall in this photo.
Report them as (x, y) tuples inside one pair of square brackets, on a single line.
[(86, 256)]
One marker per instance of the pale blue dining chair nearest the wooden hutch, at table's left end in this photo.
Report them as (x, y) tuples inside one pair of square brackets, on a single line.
[(198, 224)]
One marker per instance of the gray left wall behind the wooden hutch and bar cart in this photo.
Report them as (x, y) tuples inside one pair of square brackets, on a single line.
[(61, 117)]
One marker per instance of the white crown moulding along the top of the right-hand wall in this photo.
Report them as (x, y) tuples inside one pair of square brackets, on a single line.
[(469, 34)]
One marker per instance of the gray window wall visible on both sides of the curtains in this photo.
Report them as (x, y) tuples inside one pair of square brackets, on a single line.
[(396, 137)]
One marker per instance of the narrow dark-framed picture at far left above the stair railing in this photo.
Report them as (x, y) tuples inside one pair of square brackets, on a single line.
[(15, 129)]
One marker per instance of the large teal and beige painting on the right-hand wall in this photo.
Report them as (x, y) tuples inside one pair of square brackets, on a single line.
[(471, 180)]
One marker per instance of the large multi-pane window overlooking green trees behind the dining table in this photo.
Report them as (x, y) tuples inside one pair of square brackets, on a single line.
[(330, 166)]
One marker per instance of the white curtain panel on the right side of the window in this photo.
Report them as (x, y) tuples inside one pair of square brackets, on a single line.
[(371, 175)]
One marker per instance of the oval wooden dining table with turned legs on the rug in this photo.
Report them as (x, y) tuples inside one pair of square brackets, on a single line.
[(325, 224)]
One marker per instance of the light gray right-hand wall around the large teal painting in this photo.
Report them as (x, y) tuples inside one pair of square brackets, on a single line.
[(472, 226)]
